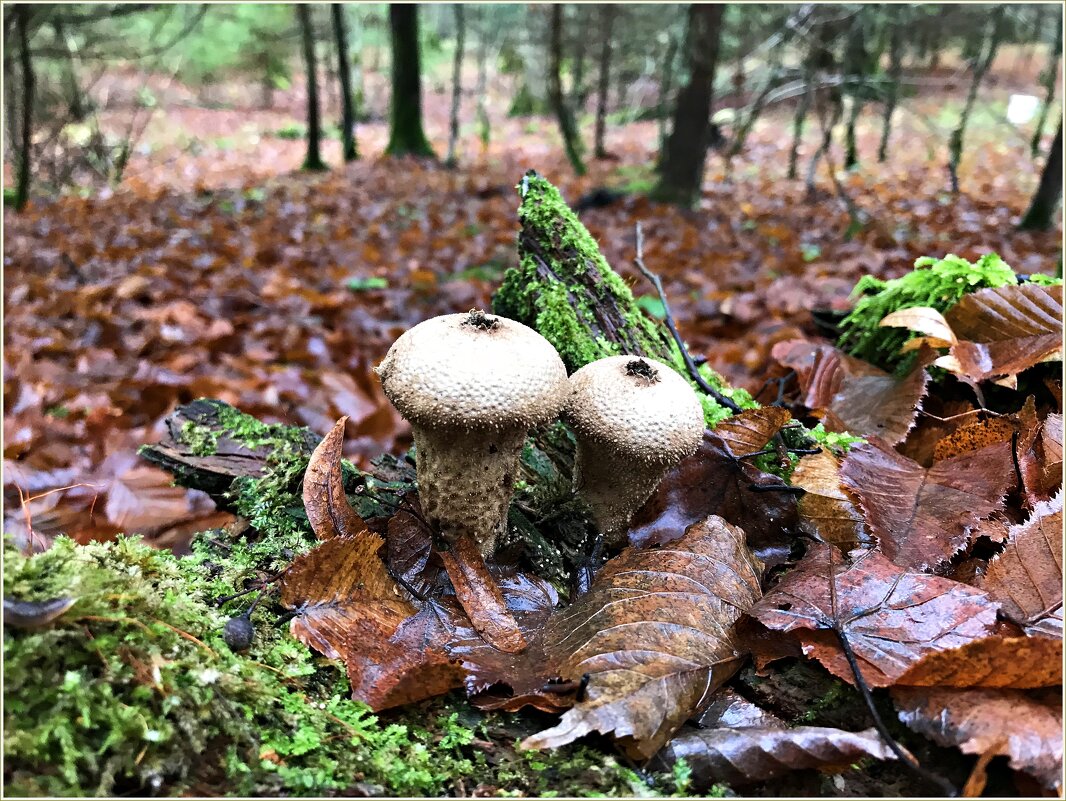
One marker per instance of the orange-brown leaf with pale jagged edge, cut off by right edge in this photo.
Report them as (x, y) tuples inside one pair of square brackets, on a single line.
[(1027, 578)]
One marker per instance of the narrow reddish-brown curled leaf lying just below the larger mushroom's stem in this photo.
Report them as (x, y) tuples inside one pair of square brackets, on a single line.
[(481, 598)]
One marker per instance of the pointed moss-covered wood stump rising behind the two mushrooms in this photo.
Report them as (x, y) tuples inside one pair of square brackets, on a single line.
[(562, 299)]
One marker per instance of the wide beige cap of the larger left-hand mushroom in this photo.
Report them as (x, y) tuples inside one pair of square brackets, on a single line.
[(474, 372)]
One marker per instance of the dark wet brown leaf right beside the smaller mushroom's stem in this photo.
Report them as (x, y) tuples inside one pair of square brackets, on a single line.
[(715, 483)]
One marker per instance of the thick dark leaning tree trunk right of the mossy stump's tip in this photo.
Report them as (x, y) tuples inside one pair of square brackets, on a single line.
[(682, 170)]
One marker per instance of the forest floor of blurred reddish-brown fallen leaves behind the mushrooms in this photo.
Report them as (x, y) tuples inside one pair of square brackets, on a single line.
[(218, 269)]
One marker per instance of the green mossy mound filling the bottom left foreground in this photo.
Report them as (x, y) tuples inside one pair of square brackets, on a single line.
[(135, 691)]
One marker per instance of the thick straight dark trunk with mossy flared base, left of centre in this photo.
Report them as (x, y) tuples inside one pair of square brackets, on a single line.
[(407, 136)]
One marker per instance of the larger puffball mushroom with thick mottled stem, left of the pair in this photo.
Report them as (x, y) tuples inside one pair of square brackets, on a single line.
[(472, 387)]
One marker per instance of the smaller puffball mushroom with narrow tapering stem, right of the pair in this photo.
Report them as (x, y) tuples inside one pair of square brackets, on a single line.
[(635, 419)]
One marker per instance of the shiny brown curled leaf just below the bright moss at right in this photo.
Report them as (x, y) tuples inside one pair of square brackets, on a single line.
[(852, 395)]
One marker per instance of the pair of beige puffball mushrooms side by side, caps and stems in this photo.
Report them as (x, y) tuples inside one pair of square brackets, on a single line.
[(473, 387)]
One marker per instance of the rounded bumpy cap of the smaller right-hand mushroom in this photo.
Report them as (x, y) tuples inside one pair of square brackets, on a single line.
[(636, 408)]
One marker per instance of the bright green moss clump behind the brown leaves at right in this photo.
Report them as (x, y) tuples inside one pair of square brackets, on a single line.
[(936, 283)]
